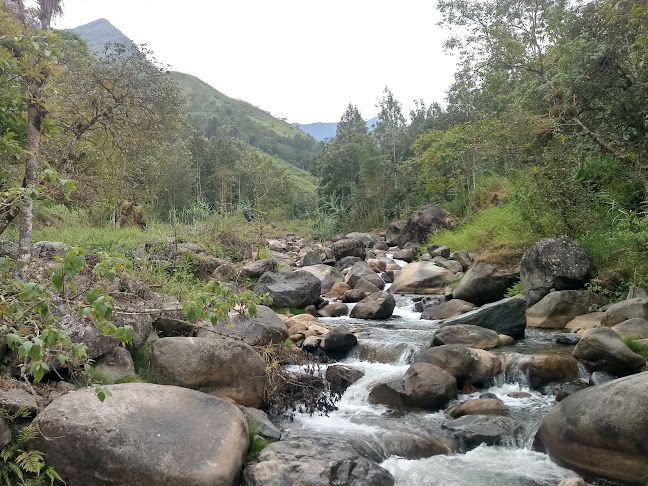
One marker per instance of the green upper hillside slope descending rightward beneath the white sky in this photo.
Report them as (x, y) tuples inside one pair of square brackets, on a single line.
[(212, 112)]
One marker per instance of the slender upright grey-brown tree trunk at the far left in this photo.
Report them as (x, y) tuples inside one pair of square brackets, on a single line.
[(35, 117)]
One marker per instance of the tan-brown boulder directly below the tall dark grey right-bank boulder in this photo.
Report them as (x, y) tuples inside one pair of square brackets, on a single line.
[(556, 309)]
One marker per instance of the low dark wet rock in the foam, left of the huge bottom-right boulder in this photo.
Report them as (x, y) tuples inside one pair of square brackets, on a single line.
[(474, 430)]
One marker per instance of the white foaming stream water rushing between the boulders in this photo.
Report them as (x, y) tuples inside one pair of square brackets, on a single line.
[(412, 445)]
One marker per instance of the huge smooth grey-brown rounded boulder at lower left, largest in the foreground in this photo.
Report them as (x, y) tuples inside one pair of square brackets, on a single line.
[(143, 435)]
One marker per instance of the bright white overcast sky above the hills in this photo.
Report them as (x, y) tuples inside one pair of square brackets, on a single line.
[(303, 60)]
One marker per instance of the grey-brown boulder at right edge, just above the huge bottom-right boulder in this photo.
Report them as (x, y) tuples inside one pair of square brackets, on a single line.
[(602, 349)]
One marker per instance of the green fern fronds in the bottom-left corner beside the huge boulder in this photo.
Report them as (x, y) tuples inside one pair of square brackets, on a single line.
[(22, 467)]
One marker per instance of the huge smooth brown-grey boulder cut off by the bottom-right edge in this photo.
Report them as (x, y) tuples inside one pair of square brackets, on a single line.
[(601, 431)]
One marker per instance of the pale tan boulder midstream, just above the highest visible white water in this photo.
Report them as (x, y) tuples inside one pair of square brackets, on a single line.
[(421, 278)]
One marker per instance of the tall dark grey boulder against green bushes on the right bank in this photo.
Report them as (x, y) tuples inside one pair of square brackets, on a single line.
[(555, 263)]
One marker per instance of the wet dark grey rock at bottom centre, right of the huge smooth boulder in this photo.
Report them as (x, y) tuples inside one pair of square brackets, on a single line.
[(307, 462)]
